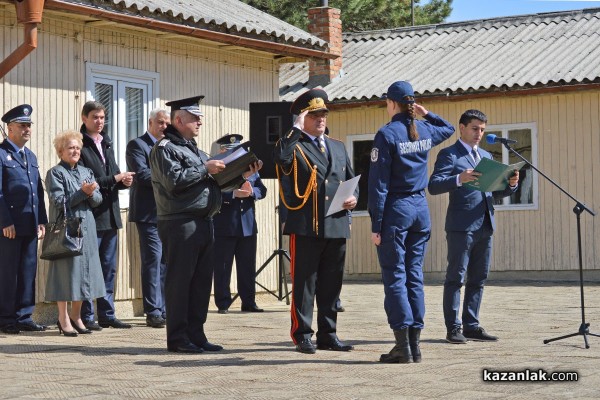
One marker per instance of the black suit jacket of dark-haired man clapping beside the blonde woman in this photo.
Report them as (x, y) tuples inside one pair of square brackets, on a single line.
[(107, 214)]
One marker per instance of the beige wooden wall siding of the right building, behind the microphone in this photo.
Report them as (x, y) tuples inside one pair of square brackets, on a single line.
[(568, 139)]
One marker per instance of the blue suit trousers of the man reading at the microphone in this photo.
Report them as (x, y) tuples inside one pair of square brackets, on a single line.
[(469, 255)]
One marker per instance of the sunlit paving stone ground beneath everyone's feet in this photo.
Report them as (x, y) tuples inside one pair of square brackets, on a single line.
[(259, 361)]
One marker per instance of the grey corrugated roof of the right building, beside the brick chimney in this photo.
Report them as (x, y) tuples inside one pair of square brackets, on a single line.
[(464, 57)]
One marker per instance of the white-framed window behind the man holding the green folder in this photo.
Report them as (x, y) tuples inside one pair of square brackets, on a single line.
[(526, 136)]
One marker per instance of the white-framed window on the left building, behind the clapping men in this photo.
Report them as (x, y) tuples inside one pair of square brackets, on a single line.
[(128, 96)]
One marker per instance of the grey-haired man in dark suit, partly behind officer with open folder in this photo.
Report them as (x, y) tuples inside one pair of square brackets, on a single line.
[(142, 211)]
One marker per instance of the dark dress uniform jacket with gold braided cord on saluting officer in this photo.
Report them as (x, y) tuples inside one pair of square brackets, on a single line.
[(329, 177)]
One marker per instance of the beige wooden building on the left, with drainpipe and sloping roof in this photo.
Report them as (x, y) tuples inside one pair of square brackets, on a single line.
[(135, 56)]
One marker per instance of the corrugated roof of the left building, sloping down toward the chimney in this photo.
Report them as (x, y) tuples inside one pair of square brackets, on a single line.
[(231, 16)]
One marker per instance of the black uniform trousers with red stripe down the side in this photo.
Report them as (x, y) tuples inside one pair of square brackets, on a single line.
[(317, 270)]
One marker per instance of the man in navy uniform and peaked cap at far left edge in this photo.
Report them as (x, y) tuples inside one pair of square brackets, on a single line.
[(22, 219)]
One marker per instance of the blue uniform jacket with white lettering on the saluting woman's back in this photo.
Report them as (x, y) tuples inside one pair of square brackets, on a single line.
[(399, 166)]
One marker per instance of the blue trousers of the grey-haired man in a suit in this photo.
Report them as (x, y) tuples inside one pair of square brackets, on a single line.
[(154, 269)]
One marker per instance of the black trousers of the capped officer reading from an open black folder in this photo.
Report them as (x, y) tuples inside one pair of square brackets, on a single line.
[(188, 246)]
